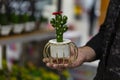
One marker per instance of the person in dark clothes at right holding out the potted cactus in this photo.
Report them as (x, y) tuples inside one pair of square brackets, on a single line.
[(105, 46)]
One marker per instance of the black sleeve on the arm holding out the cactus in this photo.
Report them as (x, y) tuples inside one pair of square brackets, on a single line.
[(97, 43)]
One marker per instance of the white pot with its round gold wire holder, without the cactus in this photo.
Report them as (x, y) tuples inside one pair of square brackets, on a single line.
[(60, 52)]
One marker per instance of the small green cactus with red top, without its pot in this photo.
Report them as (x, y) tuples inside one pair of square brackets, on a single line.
[(59, 24)]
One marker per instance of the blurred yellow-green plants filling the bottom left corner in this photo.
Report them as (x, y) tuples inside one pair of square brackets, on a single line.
[(29, 72)]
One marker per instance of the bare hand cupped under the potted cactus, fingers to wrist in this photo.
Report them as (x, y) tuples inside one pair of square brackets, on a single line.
[(80, 59)]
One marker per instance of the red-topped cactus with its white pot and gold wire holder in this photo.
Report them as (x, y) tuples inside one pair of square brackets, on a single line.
[(58, 50)]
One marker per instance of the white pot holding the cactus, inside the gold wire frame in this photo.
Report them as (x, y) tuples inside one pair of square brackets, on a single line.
[(60, 49)]
